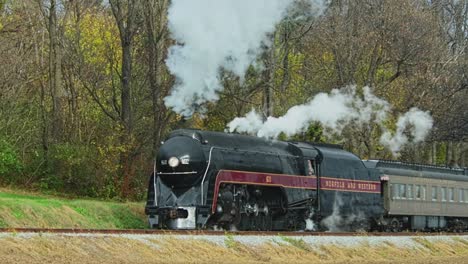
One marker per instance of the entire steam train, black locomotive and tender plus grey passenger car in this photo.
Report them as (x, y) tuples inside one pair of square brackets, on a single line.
[(213, 180)]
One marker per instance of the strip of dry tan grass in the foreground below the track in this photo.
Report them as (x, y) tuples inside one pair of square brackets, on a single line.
[(172, 250)]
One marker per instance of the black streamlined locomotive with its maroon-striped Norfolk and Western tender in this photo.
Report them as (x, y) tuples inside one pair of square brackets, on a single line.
[(215, 180)]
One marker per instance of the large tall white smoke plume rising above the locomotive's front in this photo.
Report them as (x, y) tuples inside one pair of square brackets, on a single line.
[(212, 35)]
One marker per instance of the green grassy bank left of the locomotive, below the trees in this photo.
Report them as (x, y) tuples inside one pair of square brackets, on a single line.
[(34, 210)]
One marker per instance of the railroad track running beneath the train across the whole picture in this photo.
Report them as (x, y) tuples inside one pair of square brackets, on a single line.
[(214, 233)]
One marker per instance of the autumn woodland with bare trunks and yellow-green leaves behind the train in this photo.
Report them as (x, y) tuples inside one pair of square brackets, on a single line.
[(82, 84)]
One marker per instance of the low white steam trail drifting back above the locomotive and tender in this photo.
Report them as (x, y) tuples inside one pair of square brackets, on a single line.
[(336, 110)]
